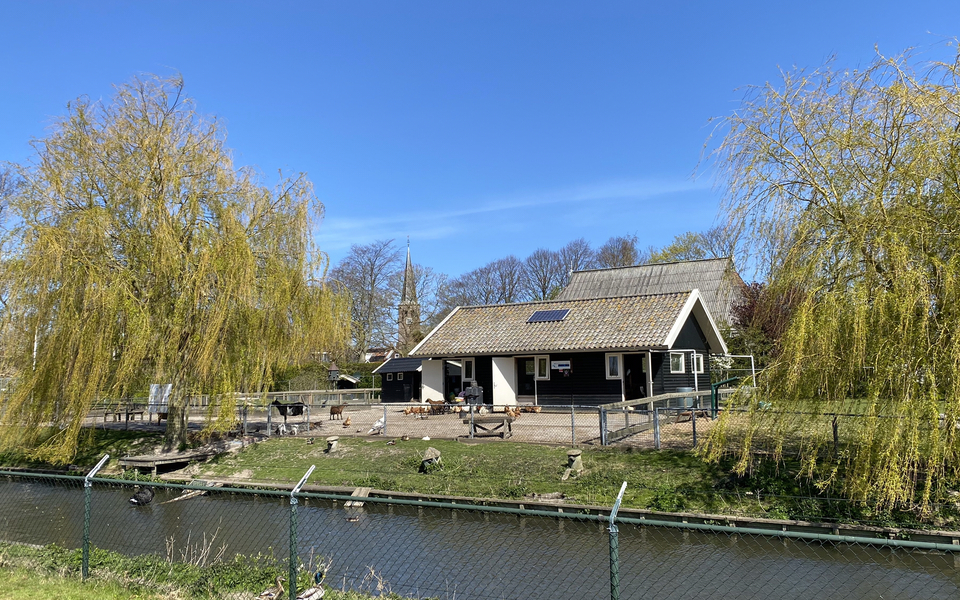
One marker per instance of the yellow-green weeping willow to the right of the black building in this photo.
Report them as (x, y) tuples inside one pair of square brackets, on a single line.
[(849, 184)]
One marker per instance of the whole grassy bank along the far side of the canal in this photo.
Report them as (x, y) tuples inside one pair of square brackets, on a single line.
[(671, 481)]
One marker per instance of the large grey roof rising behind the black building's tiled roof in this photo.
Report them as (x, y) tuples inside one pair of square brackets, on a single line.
[(716, 278)]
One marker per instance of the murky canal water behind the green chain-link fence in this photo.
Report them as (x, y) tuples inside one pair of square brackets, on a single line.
[(451, 551)]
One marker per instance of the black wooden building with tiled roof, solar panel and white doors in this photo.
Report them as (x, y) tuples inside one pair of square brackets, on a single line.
[(583, 351)]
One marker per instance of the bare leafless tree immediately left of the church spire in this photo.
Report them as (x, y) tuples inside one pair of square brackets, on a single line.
[(369, 272)]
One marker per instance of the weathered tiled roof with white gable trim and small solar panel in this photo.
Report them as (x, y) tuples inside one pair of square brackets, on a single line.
[(600, 324)]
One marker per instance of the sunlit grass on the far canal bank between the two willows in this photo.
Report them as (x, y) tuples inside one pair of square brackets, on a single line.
[(502, 470)]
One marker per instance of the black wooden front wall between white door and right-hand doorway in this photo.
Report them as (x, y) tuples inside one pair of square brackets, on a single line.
[(587, 384)]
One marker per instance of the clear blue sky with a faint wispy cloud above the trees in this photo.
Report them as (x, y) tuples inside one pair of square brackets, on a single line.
[(478, 129)]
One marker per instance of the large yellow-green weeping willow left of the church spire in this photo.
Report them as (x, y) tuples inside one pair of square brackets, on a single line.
[(139, 254)]
